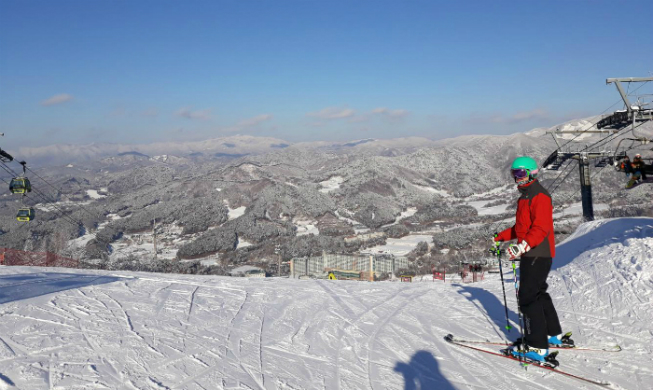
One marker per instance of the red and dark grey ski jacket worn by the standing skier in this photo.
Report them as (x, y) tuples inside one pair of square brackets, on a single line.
[(534, 221)]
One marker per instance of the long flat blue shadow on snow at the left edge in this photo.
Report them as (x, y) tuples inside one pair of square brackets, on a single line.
[(16, 287)]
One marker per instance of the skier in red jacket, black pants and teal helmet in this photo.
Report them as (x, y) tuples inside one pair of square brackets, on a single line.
[(533, 231)]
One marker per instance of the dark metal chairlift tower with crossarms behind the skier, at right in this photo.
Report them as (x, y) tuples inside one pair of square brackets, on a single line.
[(609, 124)]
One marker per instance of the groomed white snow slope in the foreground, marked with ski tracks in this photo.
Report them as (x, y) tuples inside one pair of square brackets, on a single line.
[(83, 329)]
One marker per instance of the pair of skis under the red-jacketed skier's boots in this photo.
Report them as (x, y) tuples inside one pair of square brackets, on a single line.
[(550, 365)]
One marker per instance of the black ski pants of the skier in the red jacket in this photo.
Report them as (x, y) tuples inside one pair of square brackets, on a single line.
[(540, 317)]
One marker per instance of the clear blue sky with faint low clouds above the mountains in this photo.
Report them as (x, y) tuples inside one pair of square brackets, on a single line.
[(146, 71)]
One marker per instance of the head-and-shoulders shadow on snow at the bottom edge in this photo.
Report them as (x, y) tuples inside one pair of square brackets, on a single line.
[(422, 372)]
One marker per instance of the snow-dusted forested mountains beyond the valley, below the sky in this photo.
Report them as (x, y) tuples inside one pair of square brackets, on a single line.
[(340, 189)]
